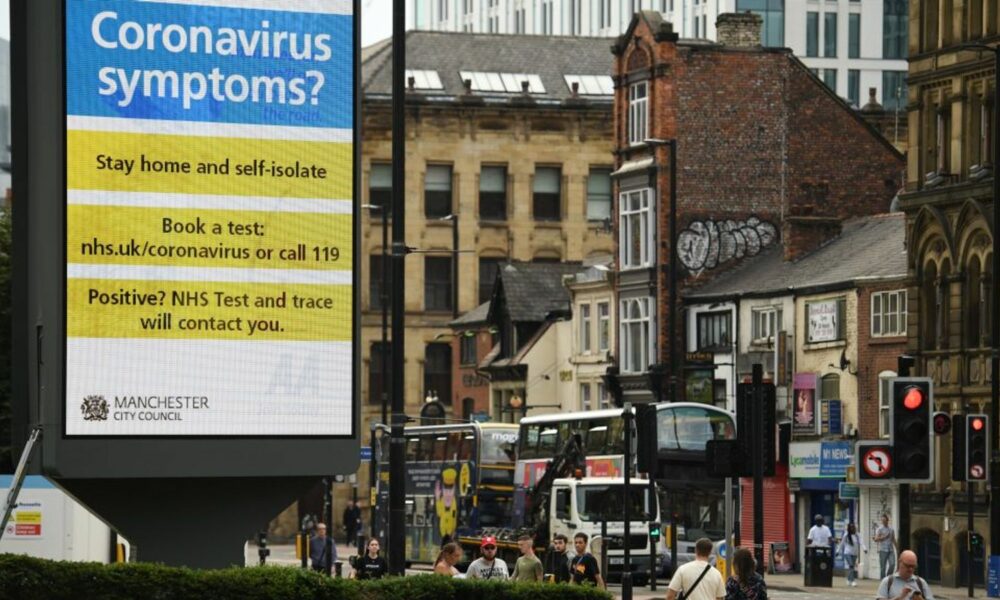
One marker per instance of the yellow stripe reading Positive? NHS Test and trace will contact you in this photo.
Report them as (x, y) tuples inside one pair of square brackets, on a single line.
[(102, 308)]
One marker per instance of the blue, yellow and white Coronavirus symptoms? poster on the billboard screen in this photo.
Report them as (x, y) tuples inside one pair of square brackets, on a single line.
[(209, 218)]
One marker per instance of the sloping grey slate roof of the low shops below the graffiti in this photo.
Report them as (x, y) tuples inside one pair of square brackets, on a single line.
[(868, 248)]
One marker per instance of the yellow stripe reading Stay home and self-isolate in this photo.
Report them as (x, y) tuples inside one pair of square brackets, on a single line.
[(207, 165)]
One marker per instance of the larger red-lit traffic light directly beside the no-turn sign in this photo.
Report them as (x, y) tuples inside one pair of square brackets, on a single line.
[(913, 450)]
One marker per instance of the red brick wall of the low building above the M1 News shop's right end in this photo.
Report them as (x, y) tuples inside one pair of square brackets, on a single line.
[(874, 356)]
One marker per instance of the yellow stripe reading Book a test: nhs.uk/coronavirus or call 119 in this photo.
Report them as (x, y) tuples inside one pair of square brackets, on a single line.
[(208, 238)]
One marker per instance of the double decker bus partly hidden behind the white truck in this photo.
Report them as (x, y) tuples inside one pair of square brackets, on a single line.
[(689, 498)]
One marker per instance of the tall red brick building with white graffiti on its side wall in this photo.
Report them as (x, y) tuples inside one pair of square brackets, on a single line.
[(765, 152)]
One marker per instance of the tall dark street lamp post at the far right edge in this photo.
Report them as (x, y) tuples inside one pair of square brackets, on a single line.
[(995, 314)]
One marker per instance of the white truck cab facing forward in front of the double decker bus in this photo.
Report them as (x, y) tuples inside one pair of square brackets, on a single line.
[(580, 506)]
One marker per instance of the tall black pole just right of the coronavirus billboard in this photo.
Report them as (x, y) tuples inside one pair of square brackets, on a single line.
[(397, 455)]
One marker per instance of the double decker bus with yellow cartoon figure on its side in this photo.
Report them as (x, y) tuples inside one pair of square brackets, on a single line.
[(459, 478)]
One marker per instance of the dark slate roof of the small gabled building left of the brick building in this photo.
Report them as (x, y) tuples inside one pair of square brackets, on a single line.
[(533, 291)]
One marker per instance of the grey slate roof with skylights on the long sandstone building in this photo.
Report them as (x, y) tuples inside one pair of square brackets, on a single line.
[(448, 53)]
